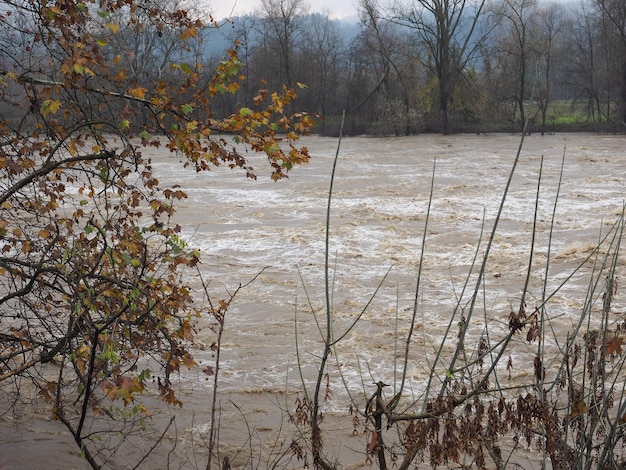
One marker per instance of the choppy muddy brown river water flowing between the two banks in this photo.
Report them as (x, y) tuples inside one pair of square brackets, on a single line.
[(378, 216)]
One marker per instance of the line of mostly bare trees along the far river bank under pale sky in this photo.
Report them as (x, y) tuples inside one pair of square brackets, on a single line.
[(408, 66)]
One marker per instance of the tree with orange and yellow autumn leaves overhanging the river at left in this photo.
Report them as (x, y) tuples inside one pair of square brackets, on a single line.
[(94, 302)]
